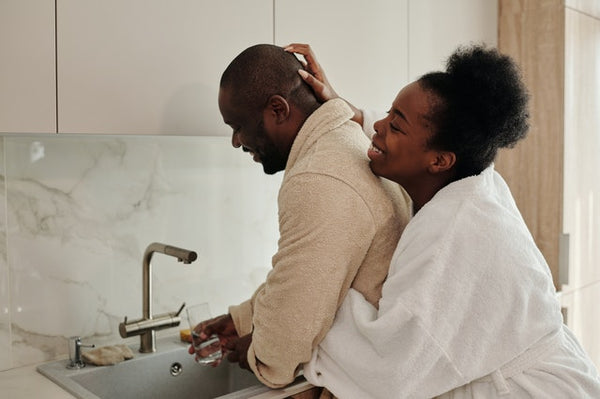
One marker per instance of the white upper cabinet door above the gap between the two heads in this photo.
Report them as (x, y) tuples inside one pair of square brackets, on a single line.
[(362, 45)]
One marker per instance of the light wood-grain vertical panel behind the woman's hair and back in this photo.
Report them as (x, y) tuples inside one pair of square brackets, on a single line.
[(532, 32)]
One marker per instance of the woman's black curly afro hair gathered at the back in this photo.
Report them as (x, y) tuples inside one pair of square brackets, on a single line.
[(481, 105)]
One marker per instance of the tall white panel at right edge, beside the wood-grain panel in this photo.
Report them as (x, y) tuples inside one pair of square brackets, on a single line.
[(581, 217)]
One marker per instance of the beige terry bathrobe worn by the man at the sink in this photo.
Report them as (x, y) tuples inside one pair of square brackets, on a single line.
[(338, 226)]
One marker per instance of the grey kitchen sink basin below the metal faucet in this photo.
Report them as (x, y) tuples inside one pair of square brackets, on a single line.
[(168, 373)]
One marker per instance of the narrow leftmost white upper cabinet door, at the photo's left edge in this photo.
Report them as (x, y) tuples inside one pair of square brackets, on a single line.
[(27, 84)]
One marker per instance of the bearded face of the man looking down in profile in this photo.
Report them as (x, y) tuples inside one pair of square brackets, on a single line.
[(249, 133)]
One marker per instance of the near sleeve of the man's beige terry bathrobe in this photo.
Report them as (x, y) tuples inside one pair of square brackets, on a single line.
[(326, 229)]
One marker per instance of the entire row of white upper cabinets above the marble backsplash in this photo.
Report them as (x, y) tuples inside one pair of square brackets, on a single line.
[(153, 66)]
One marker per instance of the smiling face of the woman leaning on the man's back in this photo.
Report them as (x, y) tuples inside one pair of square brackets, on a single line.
[(399, 150)]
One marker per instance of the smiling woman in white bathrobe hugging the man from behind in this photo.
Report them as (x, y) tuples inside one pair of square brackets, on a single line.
[(469, 309)]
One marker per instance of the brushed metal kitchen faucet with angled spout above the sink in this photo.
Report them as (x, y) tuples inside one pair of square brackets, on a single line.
[(147, 326)]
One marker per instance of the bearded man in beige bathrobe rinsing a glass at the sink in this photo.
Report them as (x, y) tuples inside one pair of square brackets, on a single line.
[(338, 223)]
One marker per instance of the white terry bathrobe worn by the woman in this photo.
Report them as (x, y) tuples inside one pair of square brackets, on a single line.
[(469, 310)]
